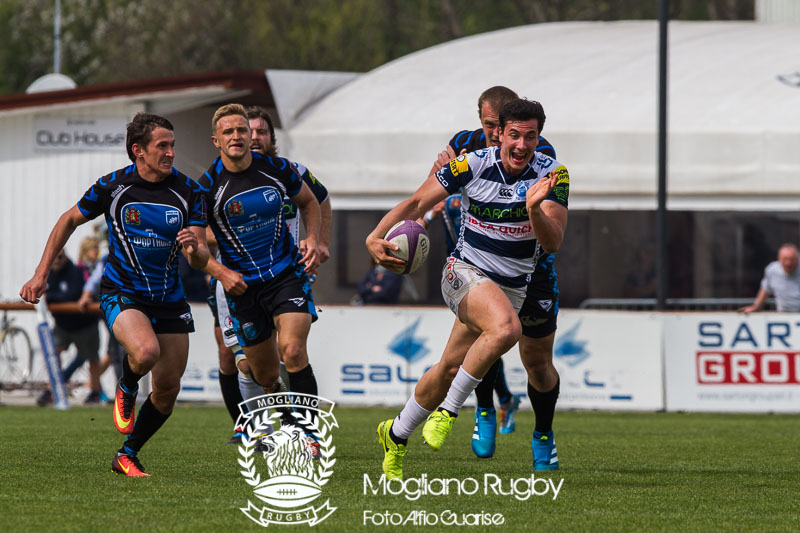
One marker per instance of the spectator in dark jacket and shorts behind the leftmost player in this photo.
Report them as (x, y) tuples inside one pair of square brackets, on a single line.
[(65, 284)]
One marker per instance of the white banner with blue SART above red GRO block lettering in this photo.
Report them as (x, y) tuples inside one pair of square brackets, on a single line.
[(729, 362)]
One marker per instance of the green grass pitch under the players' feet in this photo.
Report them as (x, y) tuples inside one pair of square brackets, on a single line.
[(621, 472)]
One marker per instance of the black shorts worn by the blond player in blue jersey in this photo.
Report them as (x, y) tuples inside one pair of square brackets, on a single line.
[(253, 312)]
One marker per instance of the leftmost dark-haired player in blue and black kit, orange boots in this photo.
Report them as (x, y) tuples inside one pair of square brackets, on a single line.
[(152, 211)]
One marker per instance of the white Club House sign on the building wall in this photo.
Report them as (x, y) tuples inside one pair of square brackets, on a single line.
[(79, 134)]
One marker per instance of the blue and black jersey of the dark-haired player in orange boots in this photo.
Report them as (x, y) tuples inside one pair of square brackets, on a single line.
[(143, 220)]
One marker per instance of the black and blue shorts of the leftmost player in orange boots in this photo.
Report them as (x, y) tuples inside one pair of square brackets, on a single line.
[(165, 317)]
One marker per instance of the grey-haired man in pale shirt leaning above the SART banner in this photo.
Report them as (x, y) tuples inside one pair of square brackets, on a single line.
[(781, 280)]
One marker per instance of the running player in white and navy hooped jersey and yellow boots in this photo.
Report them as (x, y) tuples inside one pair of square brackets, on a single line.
[(483, 282)]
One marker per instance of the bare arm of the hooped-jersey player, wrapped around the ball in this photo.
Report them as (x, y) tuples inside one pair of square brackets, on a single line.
[(429, 193)]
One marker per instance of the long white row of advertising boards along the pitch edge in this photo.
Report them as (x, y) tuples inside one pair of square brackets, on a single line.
[(723, 362)]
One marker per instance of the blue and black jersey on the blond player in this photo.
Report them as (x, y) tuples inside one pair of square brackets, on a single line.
[(245, 211)]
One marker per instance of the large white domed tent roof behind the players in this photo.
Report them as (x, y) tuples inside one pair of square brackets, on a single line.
[(734, 113)]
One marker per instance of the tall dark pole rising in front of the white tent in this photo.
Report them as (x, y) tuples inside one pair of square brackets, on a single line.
[(661, 211)]
